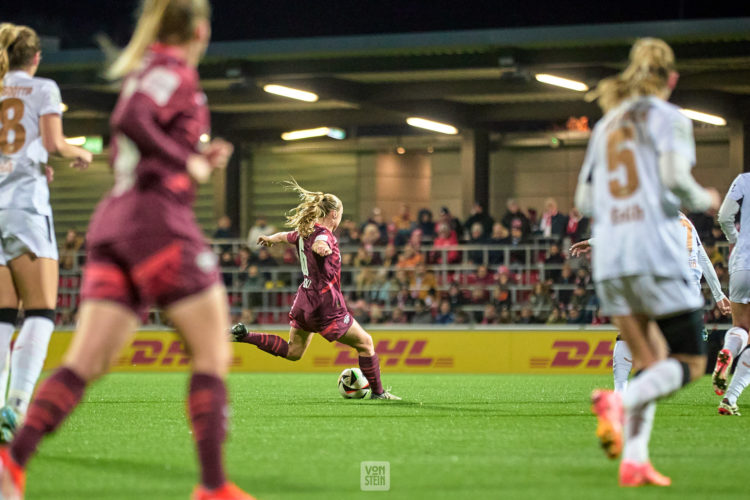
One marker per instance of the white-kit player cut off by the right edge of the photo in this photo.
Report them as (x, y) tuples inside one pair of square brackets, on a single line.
[(739, 293)]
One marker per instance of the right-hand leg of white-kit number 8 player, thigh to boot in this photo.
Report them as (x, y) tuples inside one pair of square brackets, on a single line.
[(36, 284)]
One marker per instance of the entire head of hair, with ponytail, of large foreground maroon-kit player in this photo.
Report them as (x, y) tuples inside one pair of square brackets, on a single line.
[(166, 21)]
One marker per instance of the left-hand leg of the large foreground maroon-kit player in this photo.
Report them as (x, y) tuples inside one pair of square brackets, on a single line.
[(103, 330)]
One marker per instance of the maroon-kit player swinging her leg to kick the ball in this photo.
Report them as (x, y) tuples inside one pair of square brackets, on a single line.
[(319, 305)]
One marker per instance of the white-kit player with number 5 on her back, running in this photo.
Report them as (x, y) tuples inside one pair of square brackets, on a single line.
[(635, 173)]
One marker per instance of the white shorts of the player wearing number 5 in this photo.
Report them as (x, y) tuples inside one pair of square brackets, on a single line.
[(652, 296)]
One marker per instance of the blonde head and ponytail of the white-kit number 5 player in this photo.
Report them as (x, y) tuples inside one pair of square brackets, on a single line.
[(651, 61)]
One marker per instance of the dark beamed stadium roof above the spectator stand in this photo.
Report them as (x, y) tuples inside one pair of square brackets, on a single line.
[(482, 79)]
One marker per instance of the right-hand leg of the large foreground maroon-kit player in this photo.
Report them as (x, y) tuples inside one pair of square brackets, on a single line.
[(202, 321)]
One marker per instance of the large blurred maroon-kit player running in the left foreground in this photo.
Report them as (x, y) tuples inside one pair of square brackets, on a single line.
[(144, 245)]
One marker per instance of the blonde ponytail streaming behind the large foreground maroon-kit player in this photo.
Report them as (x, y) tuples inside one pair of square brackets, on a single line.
[(144, 35)]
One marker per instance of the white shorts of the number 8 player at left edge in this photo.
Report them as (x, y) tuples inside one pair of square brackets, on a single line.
[(26, 232)]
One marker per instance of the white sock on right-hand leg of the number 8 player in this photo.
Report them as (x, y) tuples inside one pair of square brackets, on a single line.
[(27, 360)]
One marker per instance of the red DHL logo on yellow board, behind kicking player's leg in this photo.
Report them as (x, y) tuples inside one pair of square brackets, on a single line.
[(399, 352)]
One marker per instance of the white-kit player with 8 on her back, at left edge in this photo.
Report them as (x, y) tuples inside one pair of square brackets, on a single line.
[(30, 129)]
